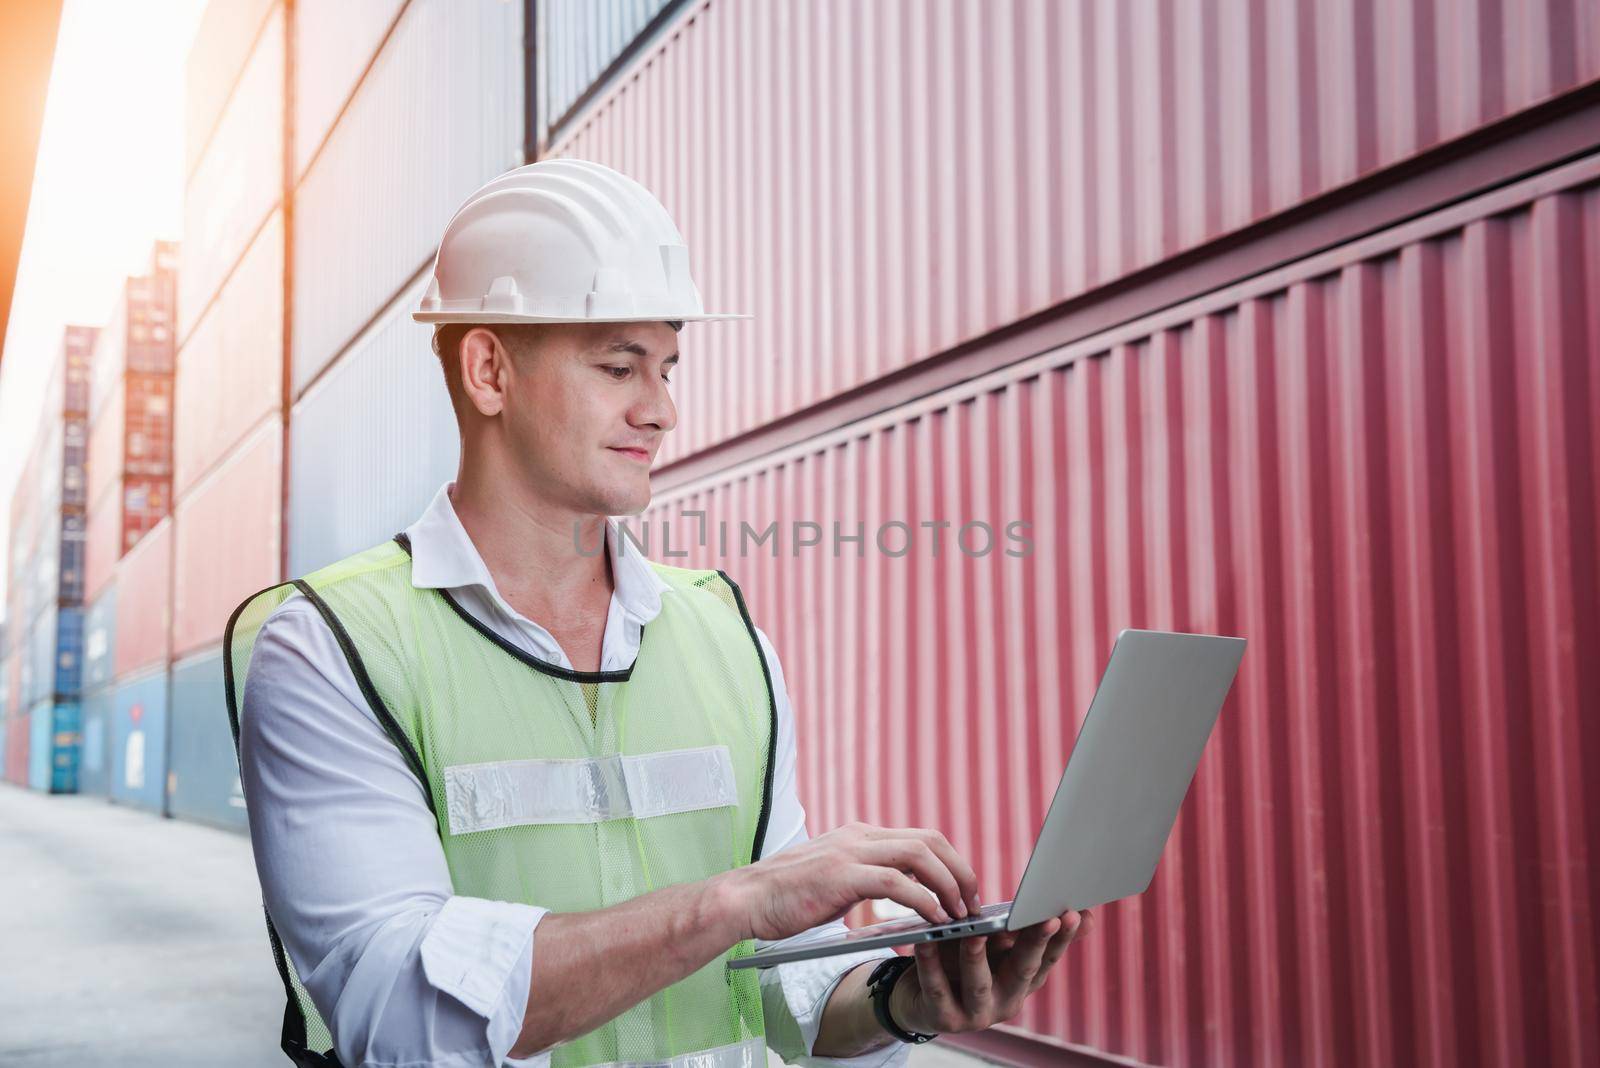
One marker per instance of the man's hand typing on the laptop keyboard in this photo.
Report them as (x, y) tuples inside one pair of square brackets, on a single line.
[(818, 882)]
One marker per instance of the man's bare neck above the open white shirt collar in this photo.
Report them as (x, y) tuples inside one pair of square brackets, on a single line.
[(532, 551)]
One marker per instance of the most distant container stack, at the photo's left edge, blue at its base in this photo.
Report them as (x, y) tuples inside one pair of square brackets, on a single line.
[(46, 616)]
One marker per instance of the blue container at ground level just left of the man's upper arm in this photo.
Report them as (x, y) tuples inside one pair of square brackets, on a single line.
[(204, 778)]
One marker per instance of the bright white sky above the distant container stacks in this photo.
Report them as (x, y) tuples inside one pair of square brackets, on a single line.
[(106, 185)]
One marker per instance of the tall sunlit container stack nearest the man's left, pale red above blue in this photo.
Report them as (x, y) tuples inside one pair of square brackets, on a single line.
[(230, 452)]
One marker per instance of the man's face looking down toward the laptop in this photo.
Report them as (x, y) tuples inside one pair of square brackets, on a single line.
[(588, 407)]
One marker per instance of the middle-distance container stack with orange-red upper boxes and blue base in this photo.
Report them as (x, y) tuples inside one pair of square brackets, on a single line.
[(129, 541)]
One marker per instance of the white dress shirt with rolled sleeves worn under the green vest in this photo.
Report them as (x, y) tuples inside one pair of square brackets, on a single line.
[(402, 968)]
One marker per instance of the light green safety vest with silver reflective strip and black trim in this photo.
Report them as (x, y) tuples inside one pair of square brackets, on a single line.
[(570, 791)]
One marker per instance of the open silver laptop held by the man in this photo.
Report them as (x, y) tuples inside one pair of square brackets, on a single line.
[(1114, 808)]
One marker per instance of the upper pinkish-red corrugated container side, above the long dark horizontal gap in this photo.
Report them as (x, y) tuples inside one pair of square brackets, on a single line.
[(881, 183)]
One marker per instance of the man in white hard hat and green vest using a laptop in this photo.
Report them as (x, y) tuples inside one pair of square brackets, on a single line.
[(490, 840)]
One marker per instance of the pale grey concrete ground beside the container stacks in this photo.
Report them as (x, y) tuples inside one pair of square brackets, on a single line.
[(134, 941)]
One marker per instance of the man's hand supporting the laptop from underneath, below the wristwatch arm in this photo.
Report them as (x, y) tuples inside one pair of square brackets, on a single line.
[(972, 984)]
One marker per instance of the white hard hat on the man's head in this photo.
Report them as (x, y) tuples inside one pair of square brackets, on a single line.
[(562, 242)]
